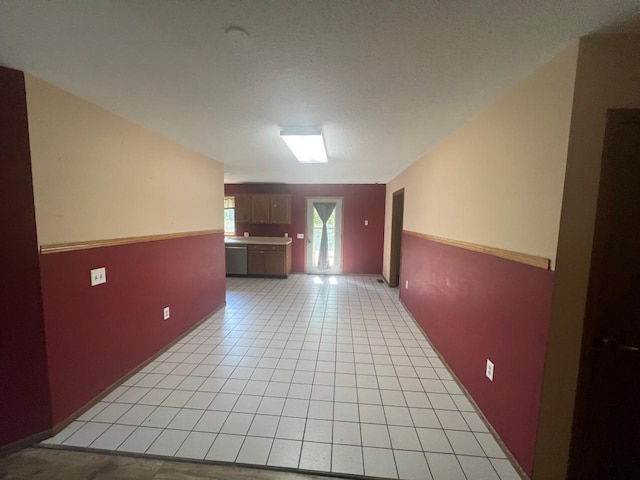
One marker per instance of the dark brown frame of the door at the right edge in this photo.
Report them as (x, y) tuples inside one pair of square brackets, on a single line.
[(579, 446)]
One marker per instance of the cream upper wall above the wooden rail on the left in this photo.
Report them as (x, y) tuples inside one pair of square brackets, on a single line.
[(99, 176)]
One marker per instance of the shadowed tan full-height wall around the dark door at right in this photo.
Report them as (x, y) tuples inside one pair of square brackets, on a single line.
[(608, 76)]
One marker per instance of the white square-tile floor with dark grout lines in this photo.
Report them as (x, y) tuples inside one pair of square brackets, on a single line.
[(325, 374)]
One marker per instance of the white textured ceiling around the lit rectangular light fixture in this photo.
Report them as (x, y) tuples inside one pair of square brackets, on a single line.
[(385, 80)]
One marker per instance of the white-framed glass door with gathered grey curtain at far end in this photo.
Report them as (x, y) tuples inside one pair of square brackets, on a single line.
[(323, 248)]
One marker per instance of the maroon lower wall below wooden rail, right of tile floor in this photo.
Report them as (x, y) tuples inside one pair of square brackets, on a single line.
[(475, 307)]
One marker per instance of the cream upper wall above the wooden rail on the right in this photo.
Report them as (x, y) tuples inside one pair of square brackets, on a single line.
[(498, 180)]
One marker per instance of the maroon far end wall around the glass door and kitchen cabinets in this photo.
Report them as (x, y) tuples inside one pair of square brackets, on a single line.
[(362, 245)]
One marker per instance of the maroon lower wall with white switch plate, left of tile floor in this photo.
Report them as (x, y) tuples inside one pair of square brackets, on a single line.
[(95, 335)]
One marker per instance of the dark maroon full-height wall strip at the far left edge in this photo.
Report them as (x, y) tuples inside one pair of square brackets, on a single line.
[(24, 396)]
